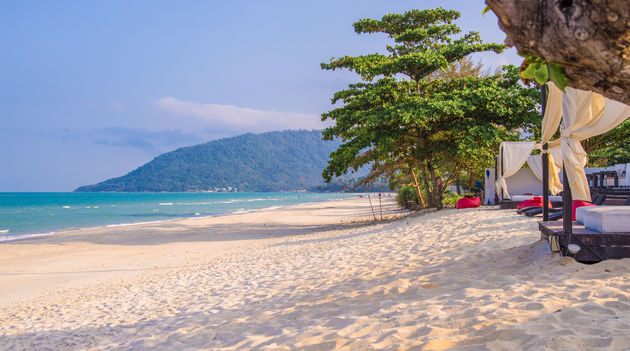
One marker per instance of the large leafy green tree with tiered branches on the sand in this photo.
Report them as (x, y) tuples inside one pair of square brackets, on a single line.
[(411, 120)]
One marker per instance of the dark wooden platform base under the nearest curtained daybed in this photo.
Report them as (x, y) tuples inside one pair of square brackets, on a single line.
[(595, 246)]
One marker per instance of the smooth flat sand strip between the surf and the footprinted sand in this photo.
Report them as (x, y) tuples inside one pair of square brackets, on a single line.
[(35, 268)]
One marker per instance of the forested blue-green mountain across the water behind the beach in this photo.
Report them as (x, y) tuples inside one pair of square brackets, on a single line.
[(275, 161)]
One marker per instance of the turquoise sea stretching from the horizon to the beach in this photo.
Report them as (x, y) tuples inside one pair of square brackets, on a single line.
[(24, 215)]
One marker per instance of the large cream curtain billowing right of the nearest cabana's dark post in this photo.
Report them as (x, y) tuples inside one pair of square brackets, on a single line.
[(585, 114)]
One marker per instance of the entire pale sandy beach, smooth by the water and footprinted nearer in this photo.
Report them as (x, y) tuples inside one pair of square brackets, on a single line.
[(476, 279)]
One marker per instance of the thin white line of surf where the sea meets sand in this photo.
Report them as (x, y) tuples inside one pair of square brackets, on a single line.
[(6, 237)]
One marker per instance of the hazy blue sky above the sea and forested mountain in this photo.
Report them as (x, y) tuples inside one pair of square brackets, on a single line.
[(91, 90)]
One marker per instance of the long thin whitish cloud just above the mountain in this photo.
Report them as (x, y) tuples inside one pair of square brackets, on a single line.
[(241, 117)]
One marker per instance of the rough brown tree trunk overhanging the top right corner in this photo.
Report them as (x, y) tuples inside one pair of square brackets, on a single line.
[(591, 38)]
